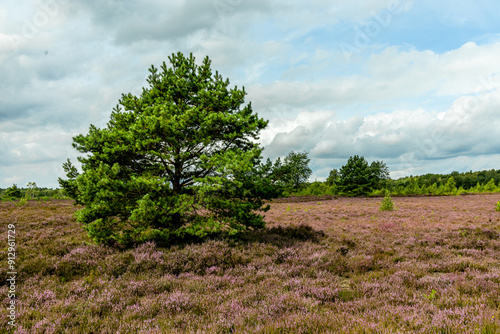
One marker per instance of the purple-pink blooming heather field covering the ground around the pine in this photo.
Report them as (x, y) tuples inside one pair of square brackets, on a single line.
[(323, 265)]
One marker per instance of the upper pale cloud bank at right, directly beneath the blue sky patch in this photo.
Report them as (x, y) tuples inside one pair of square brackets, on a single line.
[(393, 74)]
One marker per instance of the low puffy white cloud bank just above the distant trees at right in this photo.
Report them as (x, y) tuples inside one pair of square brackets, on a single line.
[(408, 139)]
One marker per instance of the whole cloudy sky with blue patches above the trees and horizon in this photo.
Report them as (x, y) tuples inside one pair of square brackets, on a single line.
[(413, 83)]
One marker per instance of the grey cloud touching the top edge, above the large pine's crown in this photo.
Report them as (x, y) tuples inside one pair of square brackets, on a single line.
[(131, 22)]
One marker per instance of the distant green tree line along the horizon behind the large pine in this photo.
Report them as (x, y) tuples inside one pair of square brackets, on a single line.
[(290, 175)]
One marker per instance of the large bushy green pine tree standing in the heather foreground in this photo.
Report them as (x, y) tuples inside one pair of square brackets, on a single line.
[(179, 160)]
